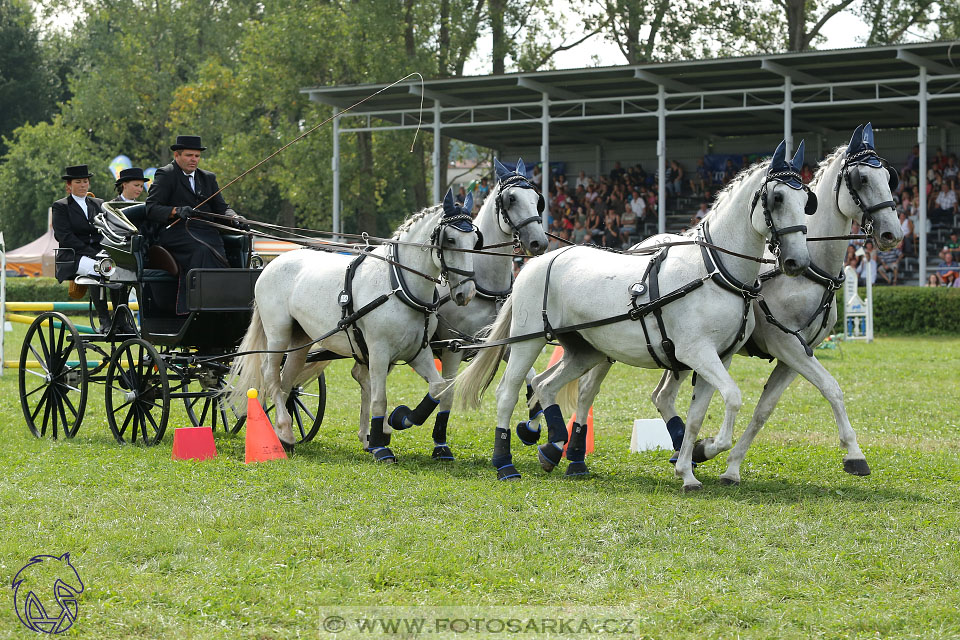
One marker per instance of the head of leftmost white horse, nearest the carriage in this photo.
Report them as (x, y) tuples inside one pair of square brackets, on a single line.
[(454, 237)]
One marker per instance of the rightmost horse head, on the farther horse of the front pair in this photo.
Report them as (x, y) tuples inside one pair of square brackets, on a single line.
[(870, 182)]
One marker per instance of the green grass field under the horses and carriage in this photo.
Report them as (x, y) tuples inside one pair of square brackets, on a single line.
[(218, 549)]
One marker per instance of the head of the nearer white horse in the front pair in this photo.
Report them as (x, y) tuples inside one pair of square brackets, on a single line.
[(786, 202)]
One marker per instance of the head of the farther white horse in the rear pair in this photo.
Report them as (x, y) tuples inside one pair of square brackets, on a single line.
[(520, 208)]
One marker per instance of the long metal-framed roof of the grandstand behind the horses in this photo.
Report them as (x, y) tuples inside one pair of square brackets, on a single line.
[(831, 90)]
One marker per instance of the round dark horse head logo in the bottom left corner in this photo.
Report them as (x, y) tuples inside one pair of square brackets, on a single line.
[(45, 593)]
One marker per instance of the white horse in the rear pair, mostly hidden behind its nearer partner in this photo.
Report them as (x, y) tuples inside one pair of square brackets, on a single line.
[(512, 211)]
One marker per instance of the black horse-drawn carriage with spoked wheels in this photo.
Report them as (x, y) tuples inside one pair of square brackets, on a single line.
[(168, 358)]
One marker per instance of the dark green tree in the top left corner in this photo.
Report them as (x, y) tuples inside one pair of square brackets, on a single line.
[(27, 86)]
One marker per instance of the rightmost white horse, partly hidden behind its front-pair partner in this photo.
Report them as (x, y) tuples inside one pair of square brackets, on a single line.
[(853, 183)]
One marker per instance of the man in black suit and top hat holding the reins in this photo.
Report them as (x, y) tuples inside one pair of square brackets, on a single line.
[(178, 197)]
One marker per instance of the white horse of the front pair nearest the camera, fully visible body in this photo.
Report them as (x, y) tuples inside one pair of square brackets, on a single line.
[(703, 314)]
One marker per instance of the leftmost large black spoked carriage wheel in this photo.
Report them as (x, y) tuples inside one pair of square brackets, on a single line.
[(58, 389)]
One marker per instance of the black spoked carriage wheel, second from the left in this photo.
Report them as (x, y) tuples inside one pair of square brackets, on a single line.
[(137, 394)]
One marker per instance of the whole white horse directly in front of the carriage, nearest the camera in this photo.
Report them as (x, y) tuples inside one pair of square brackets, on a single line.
[(379, 307)]
